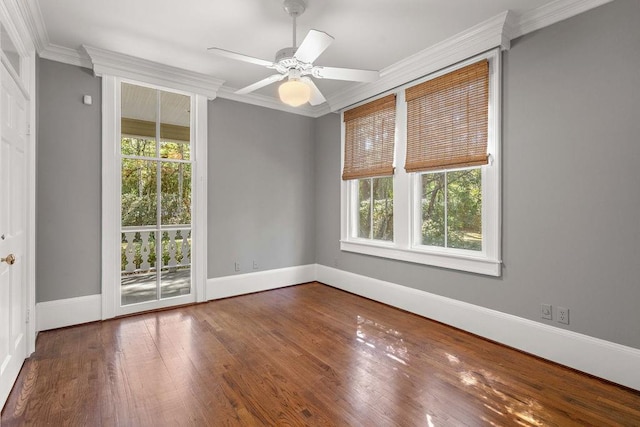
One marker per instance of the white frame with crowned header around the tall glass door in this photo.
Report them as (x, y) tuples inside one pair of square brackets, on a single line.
[(113, 68)]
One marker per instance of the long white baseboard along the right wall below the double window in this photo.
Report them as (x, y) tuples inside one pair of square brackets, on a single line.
[(594, 356)]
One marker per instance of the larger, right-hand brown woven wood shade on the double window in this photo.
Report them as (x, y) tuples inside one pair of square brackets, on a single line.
[(447, 120)]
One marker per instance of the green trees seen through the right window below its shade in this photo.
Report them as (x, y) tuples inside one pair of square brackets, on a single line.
[(463, 216)]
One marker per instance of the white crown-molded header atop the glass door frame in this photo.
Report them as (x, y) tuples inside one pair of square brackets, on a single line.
[(121, 65)]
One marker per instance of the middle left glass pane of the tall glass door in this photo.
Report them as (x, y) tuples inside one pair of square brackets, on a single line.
[(139, 192)]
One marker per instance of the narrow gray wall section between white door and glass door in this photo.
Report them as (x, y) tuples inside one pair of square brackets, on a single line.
[(67, 183)]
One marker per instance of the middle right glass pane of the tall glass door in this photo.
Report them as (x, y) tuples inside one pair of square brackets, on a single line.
[(176, 193)]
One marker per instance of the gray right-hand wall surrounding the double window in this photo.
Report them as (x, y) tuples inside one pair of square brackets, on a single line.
[(571, 235)]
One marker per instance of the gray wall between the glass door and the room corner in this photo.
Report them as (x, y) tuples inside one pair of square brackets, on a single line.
[(261, 202)]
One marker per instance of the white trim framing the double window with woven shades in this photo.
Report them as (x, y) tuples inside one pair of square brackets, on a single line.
[(488, 261)]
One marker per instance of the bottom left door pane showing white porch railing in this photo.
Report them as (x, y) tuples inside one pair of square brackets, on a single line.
[(138, 261)]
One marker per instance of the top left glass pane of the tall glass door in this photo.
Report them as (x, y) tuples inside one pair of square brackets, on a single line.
[(138, 124)]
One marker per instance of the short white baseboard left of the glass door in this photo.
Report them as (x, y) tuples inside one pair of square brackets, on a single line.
[(68, 312)]
